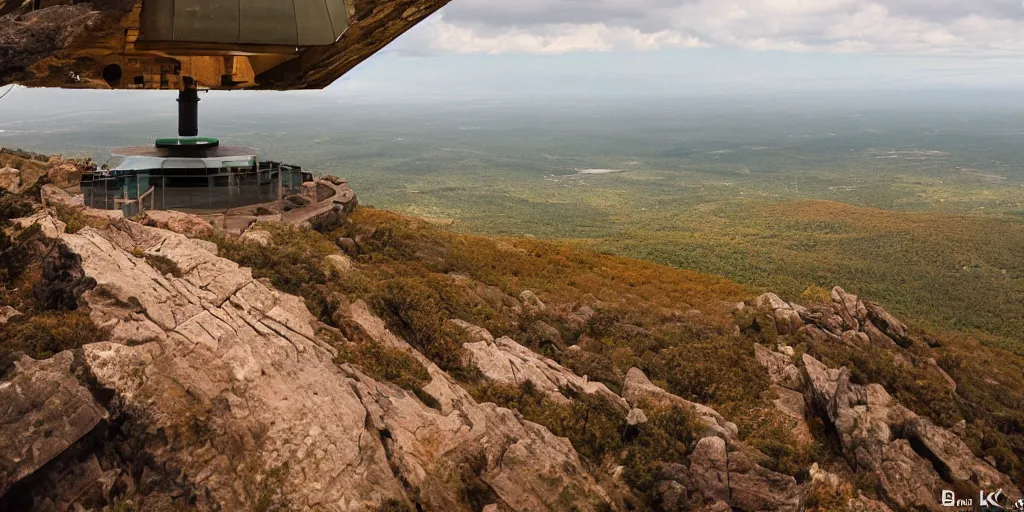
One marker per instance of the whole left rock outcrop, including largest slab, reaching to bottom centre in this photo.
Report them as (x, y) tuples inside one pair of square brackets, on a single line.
[(228, 387)]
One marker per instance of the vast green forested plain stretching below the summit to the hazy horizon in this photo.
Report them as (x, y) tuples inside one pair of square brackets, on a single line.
[(915, 200)]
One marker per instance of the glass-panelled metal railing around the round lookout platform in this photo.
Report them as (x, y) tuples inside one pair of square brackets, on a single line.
[(168, 190)]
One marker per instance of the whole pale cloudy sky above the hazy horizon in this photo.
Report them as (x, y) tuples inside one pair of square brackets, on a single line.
[(701, 47)]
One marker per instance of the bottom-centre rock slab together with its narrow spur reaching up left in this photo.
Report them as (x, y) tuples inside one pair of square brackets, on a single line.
[(526, 466)]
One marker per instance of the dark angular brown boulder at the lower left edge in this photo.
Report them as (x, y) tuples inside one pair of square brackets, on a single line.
[(46, 411)]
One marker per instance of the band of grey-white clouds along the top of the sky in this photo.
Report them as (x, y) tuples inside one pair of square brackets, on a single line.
[(974, 28)]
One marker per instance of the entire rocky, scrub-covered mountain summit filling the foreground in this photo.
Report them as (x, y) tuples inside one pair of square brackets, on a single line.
[(386, 366)]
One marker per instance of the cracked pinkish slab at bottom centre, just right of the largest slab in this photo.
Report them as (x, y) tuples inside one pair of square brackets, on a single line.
[(521, 464)]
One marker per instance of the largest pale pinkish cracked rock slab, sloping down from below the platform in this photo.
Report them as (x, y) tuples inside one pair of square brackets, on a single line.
[(237, 359)]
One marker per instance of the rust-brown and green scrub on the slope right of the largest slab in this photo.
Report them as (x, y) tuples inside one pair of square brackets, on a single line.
[(621, 314)]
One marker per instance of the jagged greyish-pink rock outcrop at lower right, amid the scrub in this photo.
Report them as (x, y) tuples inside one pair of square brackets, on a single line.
[(910, 457)]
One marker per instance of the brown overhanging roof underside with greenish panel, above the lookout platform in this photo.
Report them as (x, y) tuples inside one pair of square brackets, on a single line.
[(157, 45)]
